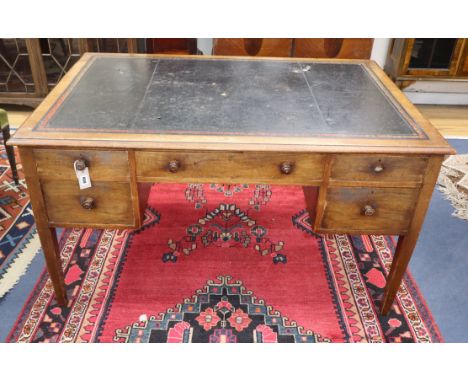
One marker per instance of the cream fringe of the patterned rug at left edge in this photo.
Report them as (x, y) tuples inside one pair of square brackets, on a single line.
[(19, 266)]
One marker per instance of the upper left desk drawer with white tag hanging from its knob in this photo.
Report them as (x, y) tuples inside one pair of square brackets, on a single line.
[(105, 165)]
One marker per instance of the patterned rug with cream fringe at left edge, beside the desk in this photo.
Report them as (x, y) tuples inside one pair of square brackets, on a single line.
[(19, 242)]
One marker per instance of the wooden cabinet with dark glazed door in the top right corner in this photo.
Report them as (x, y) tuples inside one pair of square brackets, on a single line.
[(413, 59)]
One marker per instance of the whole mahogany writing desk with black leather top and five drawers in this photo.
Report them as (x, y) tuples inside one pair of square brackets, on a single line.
[(366, 157)]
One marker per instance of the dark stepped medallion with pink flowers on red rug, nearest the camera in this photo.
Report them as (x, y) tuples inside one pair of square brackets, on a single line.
[(223, 311)]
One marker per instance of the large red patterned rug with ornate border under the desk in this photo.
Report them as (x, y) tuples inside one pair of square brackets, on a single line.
[(218, 263)]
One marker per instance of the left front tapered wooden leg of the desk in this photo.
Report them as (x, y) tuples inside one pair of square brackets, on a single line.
[(47, 235)]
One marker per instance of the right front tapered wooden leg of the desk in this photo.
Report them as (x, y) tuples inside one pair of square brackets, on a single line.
[(406, 243)]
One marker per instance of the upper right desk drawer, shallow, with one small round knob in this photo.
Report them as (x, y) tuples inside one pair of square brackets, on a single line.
[(378, 168)]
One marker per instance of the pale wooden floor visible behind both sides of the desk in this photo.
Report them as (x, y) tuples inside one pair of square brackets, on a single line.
[(452, 121)]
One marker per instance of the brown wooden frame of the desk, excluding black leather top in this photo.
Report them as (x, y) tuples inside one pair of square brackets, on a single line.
[(396, 198)]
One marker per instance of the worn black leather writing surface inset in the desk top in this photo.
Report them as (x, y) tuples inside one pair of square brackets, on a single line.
[(158, 95)]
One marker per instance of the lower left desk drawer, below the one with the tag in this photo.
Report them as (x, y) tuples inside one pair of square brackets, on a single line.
[(110, 203)]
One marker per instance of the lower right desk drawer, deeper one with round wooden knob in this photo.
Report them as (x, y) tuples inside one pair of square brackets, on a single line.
[(368, 210)]
